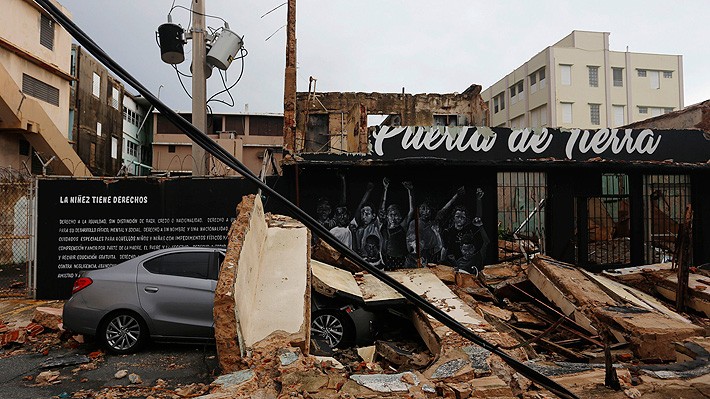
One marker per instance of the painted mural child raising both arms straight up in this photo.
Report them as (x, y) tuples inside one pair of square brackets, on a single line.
[(393, 233)]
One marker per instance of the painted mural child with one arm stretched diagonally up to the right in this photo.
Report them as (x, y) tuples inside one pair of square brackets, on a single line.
[(430, 242)]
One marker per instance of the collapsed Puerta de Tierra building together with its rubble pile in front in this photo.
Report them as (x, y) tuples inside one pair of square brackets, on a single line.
[(489, 226)]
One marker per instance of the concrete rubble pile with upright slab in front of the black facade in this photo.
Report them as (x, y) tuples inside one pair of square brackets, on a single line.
[(568, 324)]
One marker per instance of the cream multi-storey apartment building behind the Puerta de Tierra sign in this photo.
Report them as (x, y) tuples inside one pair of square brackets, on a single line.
[(579, 83)]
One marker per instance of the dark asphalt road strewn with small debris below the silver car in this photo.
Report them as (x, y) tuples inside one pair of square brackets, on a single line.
[(176, 364)]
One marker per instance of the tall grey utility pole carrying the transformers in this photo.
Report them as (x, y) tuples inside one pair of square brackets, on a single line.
[(200, 163)]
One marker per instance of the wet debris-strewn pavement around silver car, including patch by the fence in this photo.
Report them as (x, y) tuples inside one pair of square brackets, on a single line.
[(53, 365)]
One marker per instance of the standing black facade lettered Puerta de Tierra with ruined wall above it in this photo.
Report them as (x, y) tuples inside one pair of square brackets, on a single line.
[(601, 198)]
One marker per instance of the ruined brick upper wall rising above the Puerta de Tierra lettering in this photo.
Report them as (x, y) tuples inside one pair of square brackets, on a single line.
[(347, 114)]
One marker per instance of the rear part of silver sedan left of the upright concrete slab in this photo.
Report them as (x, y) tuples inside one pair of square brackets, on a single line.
[(164, 295)]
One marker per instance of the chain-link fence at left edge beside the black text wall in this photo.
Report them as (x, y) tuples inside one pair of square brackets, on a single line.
[(15, 210)]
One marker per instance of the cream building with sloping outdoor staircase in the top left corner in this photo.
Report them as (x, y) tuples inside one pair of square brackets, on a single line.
[(35, 78)]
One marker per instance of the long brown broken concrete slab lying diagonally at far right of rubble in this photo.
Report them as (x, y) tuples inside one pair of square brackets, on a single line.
[(650, 332)]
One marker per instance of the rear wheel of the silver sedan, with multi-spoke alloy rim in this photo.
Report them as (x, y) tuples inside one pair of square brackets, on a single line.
[(123, 332)]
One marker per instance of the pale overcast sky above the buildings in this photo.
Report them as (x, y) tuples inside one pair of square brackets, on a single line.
[(384, 46)]
